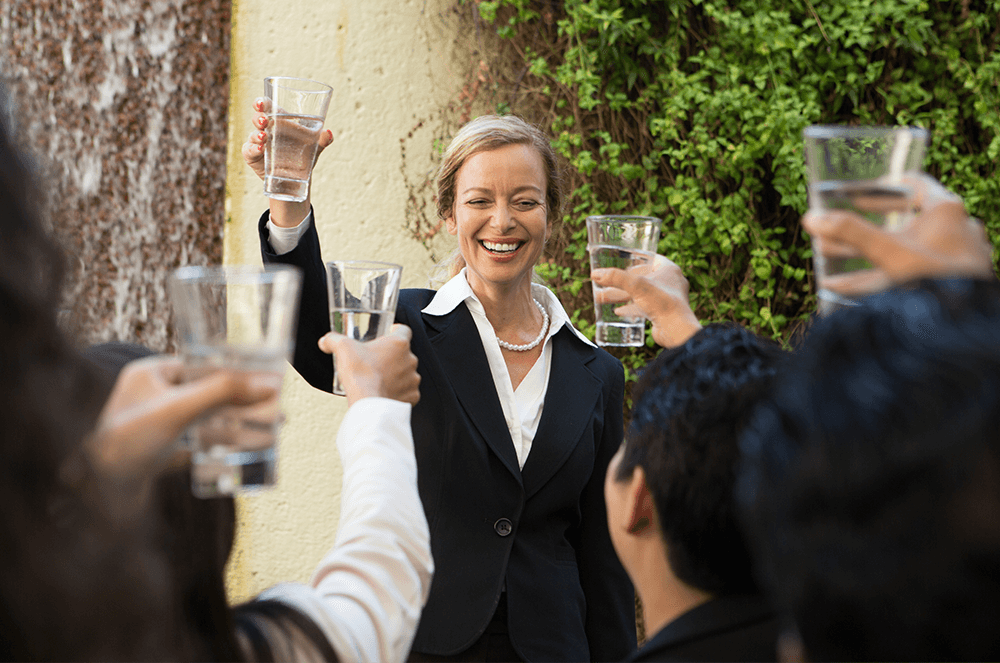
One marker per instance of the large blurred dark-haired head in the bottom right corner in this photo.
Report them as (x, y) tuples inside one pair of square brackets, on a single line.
[(872, 483)]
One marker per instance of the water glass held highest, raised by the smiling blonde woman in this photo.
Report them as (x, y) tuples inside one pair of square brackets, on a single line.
[(296, 109)]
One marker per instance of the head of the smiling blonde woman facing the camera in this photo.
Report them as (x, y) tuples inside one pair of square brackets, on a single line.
[(499, 180)]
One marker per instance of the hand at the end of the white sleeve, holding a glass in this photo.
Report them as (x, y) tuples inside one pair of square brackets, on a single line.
[(384, 367)]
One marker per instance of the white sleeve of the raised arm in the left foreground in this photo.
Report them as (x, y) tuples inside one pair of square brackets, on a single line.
[(367, 593)]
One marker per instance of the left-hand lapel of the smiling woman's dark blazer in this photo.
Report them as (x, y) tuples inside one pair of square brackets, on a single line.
[(464, 364)]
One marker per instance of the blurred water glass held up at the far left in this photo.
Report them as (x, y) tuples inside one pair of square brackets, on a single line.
[(237, 318)]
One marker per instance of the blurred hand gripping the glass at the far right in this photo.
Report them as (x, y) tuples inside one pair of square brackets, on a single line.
[(942, 240)]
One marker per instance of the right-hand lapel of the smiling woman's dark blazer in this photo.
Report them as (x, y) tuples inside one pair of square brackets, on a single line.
[(570, 399)]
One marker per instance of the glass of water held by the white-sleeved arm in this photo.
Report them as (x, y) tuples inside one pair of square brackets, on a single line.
[(362, 296)]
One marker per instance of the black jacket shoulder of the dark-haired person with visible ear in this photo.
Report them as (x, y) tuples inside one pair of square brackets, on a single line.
[(728, 628)]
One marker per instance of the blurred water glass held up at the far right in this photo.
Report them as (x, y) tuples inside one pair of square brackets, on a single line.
[(871, 172)]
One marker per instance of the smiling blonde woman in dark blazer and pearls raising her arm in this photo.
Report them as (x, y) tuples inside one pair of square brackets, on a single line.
[(511, 472)]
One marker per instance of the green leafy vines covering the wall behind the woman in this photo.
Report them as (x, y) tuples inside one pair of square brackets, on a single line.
[(693, 110)]
